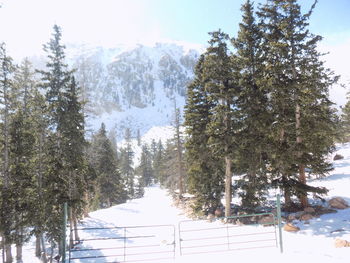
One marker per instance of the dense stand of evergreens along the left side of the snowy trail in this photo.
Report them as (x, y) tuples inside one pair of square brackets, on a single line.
[(47, 160)]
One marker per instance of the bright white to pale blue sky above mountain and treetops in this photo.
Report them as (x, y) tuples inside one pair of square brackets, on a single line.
[(25, 25)]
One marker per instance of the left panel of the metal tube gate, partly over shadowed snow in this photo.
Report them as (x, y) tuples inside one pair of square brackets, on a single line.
[(124, 244)]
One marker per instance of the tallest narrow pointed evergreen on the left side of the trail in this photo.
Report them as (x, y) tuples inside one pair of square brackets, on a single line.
[(55, 80)]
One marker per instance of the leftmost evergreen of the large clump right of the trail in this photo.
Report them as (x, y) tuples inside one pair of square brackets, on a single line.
[(205, 170)]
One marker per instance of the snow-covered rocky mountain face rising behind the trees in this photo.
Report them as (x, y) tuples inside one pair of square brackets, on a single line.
[(133, 87)]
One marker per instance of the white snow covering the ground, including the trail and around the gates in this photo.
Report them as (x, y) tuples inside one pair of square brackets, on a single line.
[(315, 242)]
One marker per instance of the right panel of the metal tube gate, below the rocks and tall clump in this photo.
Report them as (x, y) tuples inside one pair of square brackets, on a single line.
[(228, 233)]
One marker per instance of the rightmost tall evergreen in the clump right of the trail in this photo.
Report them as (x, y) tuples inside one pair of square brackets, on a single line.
[(298, 84)]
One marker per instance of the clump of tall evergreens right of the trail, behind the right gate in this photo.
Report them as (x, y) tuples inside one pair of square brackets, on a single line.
[(258, 108)]
